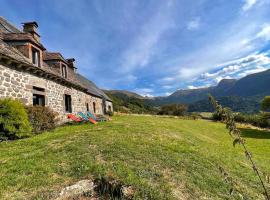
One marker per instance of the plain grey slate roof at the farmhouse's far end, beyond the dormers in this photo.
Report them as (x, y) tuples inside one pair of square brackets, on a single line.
[(92, 88)]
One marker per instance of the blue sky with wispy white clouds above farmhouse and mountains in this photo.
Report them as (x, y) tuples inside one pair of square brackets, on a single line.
[(153, 47)]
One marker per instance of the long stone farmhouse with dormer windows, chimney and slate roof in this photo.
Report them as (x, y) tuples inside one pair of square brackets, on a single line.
[(38, 77)]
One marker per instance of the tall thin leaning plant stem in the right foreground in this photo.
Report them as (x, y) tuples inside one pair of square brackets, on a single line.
[(228, 118)]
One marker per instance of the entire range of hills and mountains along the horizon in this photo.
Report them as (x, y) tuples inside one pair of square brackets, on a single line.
[(243, 95)]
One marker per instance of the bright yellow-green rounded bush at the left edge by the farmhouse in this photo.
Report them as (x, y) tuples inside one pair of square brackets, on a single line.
[(14, 123)]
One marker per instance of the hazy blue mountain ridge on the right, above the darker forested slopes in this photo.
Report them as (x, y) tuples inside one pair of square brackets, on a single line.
[(254, 86)]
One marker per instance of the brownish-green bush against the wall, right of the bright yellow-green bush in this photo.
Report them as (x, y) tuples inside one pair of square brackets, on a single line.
[(42, 118)]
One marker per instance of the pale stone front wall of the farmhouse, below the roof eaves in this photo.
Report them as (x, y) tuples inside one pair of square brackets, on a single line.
[(19, 85)]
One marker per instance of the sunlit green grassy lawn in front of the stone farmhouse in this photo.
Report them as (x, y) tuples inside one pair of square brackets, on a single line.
[(163, 158)]
